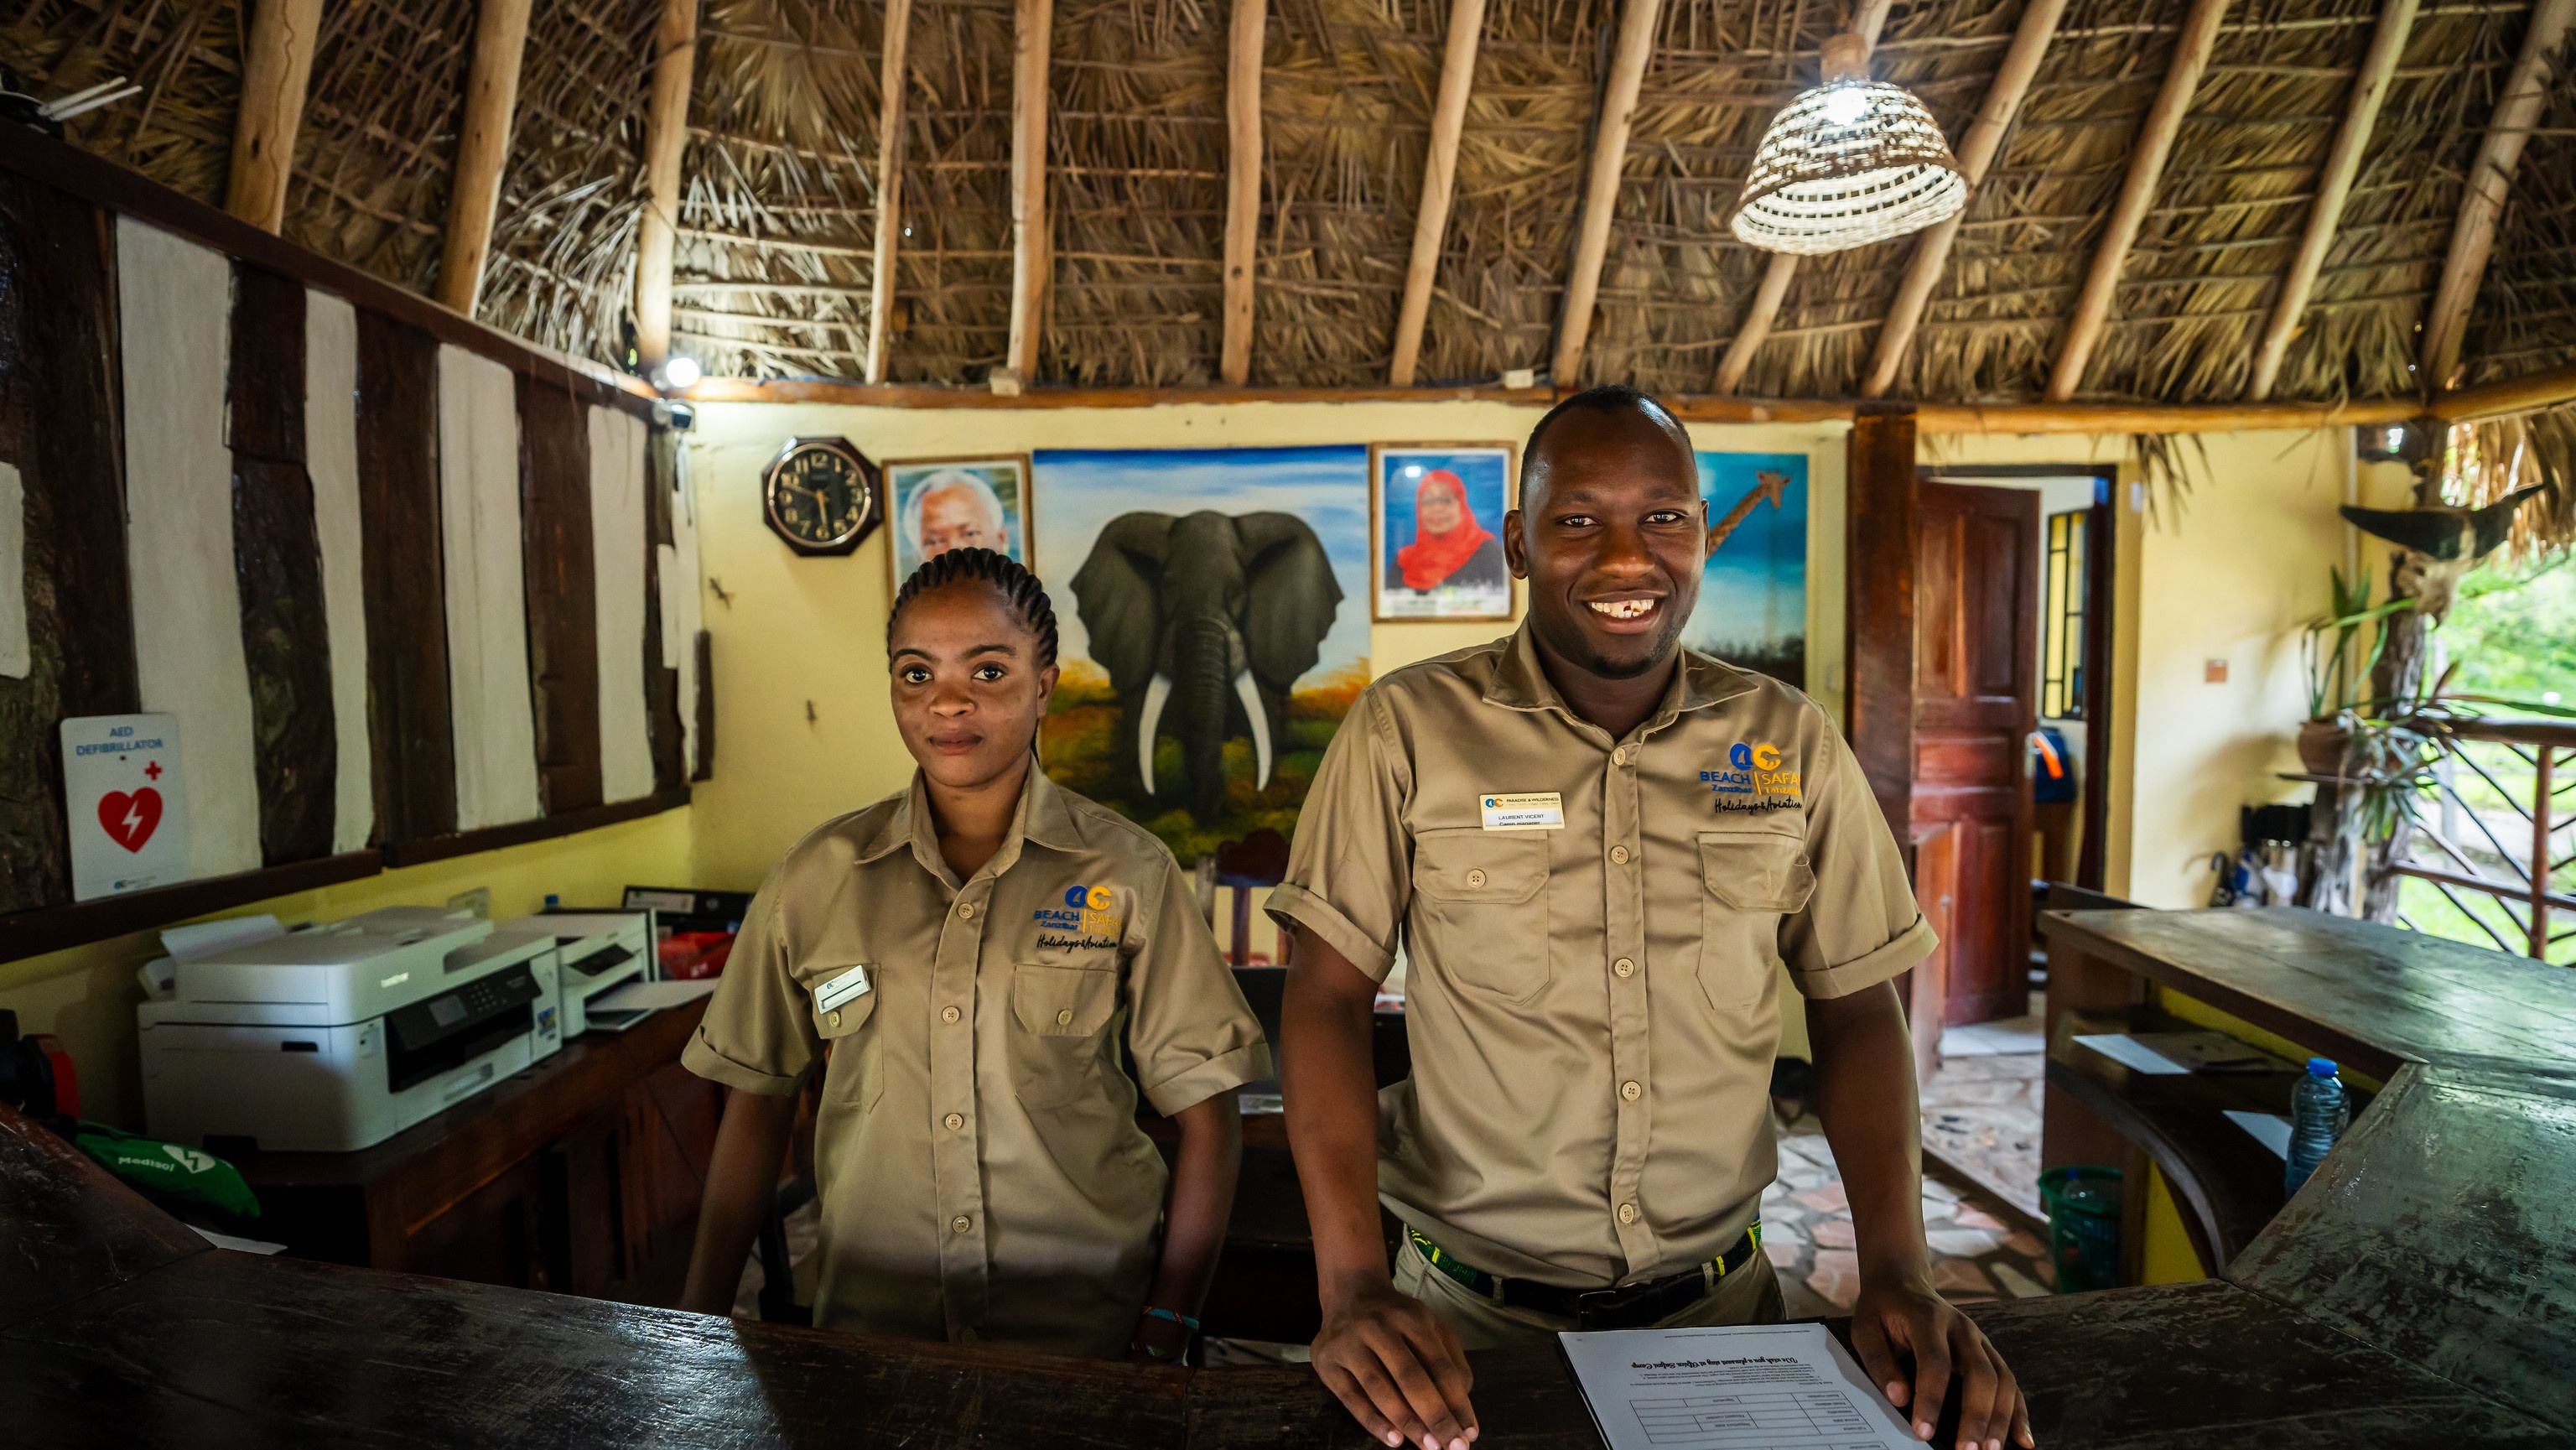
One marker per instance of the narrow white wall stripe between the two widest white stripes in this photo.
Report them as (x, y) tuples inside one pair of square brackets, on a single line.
[(331, 460)]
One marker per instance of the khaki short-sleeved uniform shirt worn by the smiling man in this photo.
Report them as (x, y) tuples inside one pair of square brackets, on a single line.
[(1593, 1003)]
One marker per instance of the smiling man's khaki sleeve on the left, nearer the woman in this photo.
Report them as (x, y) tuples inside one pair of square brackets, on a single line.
[(1351, 867)]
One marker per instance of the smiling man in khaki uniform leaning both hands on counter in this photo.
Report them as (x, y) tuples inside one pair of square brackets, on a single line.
[(1596, 849)]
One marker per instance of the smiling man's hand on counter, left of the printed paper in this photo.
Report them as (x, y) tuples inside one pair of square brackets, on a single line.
[(1397, 1369)]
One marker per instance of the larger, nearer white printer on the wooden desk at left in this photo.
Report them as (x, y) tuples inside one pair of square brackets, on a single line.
[(339, 1037)]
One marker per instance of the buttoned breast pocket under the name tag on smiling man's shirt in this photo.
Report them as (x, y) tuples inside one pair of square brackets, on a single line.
[(1482, 910)]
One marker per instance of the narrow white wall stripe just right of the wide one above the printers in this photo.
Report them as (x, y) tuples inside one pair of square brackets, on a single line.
[(617, 550)]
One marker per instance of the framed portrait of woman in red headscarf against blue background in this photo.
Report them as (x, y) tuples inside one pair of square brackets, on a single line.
[(1436, 519)]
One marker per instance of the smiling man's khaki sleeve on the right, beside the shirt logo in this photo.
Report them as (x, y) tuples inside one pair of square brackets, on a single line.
[(1861, 926)]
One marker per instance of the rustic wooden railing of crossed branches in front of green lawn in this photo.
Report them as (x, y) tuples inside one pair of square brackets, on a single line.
[(2497, 820)]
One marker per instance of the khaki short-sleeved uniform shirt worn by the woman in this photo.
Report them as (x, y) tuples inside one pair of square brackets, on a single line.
[(978, 1153)]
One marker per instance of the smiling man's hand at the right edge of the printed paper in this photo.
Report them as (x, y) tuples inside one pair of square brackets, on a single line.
[(1908, 1315)]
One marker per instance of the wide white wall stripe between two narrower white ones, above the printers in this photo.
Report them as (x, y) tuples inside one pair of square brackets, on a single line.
[(488, 591)]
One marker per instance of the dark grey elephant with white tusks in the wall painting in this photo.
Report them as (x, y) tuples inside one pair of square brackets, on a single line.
[(1204, 625)]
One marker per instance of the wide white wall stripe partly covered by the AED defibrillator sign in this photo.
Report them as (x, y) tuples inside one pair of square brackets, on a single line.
[(176, 341)]
